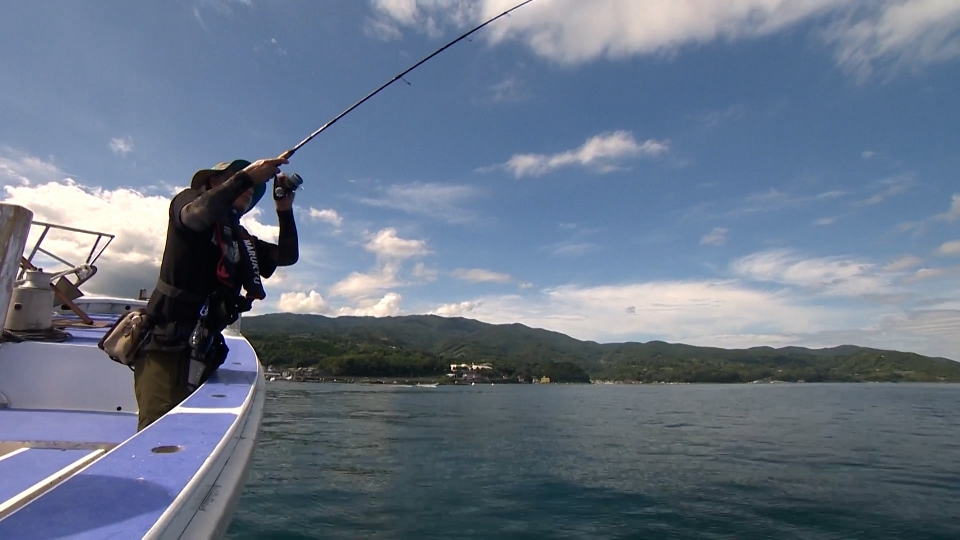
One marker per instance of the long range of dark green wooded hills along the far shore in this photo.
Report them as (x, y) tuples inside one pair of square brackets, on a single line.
[(425, 346)]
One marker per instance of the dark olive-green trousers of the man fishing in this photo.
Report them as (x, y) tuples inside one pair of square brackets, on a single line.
[(160, 383)]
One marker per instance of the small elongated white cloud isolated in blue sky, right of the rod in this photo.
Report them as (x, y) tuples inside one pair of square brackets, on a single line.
[(601, 152)]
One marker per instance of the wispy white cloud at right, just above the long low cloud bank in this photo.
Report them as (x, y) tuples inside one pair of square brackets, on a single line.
[(832, 276)]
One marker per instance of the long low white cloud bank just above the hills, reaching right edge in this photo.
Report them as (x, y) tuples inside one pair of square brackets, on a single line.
[(718, 313)]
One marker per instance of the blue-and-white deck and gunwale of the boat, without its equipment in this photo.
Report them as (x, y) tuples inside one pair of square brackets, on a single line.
[(72, 464)]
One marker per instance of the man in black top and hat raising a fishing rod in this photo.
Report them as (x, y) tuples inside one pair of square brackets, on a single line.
[(208, 258)]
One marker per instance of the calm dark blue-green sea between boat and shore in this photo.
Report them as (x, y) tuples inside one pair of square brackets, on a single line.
[(701, 461)]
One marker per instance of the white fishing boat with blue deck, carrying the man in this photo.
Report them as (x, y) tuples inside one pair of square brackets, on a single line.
[(72, 464)]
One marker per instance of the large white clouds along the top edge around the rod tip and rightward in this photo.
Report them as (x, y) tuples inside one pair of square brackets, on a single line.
[(865, 35)]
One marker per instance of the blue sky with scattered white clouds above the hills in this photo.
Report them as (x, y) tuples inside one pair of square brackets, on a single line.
[(733, 174)]
